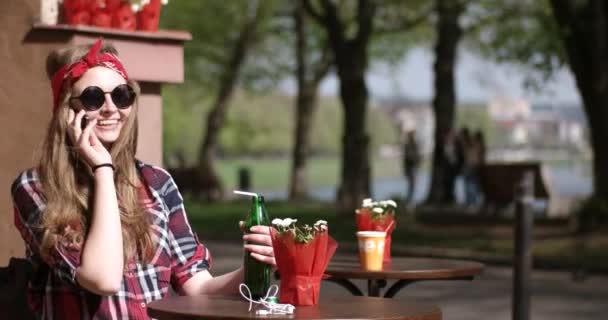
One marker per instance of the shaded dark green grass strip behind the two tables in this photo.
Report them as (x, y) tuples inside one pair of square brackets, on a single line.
[(564, 250)]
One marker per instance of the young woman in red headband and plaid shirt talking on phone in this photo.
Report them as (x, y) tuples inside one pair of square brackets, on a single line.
[(106, 233)]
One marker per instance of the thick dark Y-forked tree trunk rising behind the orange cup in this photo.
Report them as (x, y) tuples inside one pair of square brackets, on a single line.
[(351, 59)]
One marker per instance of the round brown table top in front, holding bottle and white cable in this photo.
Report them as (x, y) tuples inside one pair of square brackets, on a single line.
[(234, 307)]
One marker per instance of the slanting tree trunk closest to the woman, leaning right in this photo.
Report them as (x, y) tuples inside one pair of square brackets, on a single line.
[(210, 185)]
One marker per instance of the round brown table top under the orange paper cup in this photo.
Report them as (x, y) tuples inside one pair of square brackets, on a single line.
[(406, 269)]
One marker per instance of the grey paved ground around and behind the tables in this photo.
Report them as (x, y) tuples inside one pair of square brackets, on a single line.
[(555, 296)]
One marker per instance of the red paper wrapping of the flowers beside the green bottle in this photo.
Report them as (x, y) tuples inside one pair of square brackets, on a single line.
[(301, 266)]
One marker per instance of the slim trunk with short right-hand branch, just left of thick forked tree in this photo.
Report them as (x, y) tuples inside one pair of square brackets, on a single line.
[(306, 104)]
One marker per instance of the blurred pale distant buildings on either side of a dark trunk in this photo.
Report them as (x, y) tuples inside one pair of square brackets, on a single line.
[(516, 124)]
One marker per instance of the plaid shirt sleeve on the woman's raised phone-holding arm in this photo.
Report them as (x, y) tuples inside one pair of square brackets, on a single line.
[(29, 204)]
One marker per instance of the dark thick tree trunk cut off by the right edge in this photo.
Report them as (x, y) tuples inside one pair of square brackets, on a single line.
[(584, 32)]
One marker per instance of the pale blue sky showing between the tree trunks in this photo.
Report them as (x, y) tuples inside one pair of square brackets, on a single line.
[(477, 80)]
